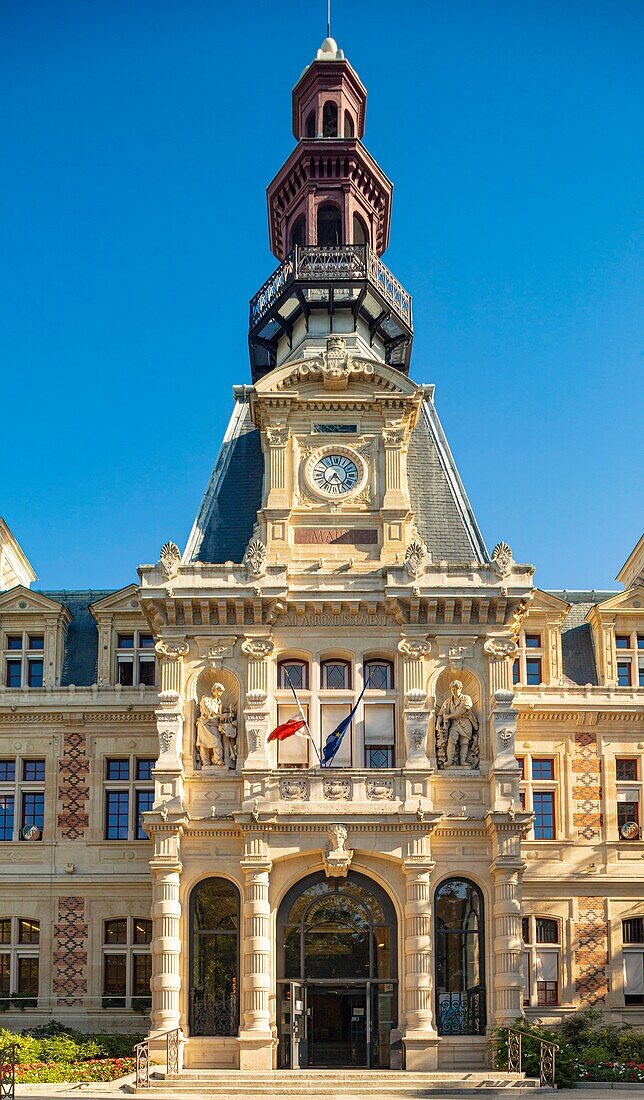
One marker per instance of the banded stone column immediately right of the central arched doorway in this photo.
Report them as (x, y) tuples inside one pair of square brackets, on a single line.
[(420, 1036)]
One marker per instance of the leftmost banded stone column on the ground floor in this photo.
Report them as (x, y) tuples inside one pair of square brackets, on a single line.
[(167, 945)]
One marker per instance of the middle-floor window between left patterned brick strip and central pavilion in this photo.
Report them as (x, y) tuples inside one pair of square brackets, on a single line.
[(129, 795)]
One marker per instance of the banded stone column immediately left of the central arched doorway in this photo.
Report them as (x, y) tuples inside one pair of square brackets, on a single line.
[(256, 1038)]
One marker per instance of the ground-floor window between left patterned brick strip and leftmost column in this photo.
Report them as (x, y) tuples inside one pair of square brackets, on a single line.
[(127, 963)]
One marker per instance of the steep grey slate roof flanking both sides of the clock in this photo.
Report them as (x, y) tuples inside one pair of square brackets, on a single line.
[(228, 513)]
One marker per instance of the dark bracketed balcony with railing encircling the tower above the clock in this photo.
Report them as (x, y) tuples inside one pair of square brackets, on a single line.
[(330, 289)]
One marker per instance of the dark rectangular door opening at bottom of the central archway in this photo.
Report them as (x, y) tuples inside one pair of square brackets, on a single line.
[(337, 1026)]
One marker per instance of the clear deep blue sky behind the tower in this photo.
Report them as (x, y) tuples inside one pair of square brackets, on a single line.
[(137, 140)]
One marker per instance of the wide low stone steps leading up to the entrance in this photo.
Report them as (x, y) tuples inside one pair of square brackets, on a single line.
[(335, 1085)]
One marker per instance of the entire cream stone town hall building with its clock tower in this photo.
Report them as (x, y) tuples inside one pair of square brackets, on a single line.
[(492, 767)]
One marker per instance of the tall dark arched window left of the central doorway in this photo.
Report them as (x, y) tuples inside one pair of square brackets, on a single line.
[(215, 959)]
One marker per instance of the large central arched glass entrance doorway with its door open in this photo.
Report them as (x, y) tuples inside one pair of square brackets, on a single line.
[(337, 962)]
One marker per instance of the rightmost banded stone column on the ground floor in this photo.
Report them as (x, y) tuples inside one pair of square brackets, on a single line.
[(508, 870)]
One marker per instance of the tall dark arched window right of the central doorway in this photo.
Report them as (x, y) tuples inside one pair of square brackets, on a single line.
[(461, 991)]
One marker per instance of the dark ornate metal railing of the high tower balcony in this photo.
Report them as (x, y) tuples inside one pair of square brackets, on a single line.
[(314, 262)]
